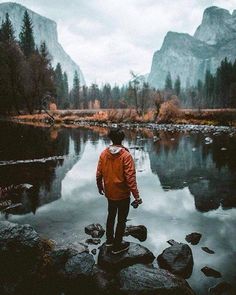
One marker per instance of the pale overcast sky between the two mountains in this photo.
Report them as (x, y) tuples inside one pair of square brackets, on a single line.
[(108, 38)]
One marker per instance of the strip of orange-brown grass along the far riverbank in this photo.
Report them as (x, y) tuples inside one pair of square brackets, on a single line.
[(208, 117)]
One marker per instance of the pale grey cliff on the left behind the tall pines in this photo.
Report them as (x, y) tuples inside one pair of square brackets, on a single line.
[(44, 30)]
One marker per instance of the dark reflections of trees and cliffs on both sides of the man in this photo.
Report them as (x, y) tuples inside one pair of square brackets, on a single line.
[(180, 160)]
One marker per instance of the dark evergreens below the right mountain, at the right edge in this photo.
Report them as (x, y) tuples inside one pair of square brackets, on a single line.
[(215, 91)]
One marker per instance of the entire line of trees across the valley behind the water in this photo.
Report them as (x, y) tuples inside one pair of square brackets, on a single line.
[(27, 76)]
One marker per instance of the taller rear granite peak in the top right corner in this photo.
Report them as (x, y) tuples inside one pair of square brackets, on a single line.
[(217, 25)]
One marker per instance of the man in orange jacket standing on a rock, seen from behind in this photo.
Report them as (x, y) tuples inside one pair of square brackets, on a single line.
[(117, 179)]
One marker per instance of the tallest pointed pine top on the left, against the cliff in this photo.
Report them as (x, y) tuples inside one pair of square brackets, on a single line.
[(27, 43)]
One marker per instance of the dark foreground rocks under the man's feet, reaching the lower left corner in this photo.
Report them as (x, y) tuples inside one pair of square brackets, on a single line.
[(27, 262)]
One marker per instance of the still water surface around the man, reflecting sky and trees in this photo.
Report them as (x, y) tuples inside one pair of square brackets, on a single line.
[(186, 185)]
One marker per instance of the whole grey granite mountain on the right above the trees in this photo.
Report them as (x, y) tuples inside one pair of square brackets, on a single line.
[(190, 56)]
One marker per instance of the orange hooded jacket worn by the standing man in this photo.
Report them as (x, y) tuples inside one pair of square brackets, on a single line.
[(116, 173)]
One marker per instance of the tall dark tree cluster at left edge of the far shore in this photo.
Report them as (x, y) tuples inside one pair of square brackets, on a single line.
[(25, 70)]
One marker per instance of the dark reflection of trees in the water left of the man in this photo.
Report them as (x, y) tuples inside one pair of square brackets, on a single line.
[(46, 177)]
